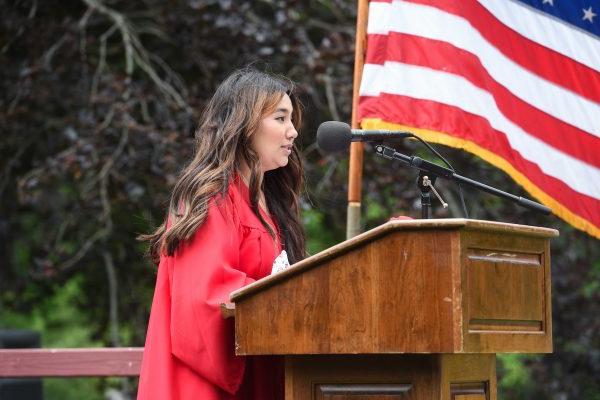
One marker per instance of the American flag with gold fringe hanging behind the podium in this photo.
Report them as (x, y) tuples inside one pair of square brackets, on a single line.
[(514, 82)]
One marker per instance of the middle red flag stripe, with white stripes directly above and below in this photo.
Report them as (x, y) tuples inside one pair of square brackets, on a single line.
[(445, 57)]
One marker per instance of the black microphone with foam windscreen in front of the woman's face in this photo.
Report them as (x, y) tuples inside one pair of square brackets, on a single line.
[(335, 136)]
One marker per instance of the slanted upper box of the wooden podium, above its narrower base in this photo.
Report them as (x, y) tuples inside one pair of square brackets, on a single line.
[(456, 286)]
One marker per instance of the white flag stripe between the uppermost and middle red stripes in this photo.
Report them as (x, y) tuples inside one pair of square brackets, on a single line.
[(432, 23)]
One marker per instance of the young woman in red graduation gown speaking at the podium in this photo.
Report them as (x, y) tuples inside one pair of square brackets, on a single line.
[(233, 210)]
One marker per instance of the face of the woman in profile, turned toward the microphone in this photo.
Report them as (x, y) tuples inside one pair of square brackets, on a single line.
[(275, 135)]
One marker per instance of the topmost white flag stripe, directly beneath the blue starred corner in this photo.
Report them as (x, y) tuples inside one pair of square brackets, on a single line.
[(548, 31)]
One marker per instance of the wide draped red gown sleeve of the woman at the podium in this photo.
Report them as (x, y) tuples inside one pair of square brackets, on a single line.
[(203, 272)]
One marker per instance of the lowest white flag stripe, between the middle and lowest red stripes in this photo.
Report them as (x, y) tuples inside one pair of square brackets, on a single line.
[(427, 84)]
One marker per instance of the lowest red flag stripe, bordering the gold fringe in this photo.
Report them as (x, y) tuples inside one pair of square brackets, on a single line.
[(456, 122)]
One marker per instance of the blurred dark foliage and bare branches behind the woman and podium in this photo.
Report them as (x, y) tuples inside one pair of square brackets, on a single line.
[(99, 101)]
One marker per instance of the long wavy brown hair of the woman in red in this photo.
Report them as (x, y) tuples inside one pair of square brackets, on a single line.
[(231, 117)]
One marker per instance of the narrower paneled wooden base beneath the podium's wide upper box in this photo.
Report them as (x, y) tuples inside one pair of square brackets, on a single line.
[(391, 377)]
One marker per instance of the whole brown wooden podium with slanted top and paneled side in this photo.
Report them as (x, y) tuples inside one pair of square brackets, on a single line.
[(408, 310)]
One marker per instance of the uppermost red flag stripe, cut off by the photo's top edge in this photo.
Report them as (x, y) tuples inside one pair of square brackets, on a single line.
[(538, 59)]
